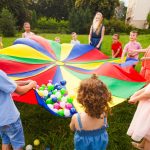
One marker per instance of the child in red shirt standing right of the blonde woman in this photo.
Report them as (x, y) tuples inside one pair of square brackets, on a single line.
[(116, 46)]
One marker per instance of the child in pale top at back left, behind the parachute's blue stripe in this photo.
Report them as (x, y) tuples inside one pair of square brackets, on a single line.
[(27, 33)]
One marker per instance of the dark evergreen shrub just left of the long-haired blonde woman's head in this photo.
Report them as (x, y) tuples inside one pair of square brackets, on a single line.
[(80, 20)]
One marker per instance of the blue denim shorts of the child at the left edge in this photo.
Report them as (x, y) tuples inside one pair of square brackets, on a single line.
[(13, 134)]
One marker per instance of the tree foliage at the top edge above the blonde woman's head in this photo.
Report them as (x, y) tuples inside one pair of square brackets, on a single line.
[(105, 6)]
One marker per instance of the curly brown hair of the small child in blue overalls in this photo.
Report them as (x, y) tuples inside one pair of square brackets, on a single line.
[(94, 96)]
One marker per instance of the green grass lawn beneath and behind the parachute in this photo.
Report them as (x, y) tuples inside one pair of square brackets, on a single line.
[(54, 132)]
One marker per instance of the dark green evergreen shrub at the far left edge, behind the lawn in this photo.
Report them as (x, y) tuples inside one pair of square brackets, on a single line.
[(7, 23)]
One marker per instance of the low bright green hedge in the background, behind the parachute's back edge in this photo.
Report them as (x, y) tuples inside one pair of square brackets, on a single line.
[(52, 25)]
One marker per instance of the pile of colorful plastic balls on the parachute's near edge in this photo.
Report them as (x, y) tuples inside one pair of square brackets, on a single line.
[(56, 97)]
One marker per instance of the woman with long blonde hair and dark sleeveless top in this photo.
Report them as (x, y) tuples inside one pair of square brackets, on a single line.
[(97, 31)]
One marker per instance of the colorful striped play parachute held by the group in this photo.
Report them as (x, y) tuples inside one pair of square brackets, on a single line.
[(42, 60)]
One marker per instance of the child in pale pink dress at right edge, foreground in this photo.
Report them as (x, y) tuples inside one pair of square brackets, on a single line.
[(140, 126)]
